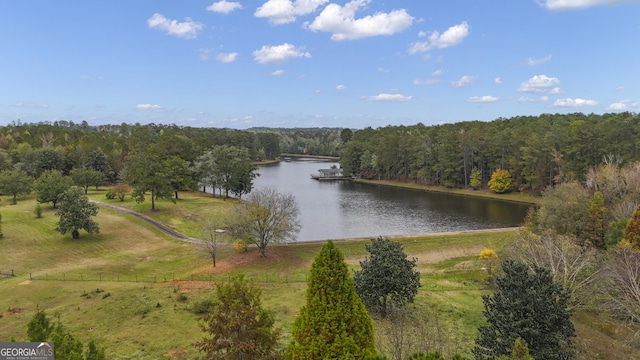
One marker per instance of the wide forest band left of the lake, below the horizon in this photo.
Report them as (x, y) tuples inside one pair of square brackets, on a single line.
[(65, 145)]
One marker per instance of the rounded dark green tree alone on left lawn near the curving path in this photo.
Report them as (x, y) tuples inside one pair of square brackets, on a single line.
[(76, 213)]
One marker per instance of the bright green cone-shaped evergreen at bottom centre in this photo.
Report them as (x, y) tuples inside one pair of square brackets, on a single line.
[(333, 324)]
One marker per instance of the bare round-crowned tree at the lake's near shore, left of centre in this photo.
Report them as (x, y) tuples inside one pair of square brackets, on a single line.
[(266, 216)]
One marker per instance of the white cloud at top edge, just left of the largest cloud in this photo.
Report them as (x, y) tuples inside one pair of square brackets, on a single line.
[(285, 11)]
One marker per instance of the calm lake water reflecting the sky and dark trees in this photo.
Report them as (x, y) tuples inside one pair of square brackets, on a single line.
[(345, 209)]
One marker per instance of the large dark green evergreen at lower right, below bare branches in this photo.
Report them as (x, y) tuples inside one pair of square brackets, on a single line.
[(527, 305)]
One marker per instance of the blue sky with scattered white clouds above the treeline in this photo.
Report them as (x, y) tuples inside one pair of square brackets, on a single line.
[(315, 63)]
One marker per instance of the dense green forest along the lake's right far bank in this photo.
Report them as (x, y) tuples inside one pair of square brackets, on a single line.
[(537, 150)]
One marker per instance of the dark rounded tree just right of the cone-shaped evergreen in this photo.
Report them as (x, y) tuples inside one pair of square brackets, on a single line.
[(387, 277)]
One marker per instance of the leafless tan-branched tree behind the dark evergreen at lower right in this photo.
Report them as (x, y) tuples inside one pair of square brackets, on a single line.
[(571, 265)]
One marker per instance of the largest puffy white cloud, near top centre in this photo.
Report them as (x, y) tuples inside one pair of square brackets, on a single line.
[(342, 23)]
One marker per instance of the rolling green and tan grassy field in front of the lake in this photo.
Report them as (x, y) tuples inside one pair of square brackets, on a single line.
[(134, 289)]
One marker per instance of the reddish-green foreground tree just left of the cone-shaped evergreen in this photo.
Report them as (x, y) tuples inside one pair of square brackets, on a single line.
[(236, 326)]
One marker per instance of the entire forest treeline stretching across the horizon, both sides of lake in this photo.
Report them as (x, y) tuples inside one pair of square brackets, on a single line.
[(537, 150)]
